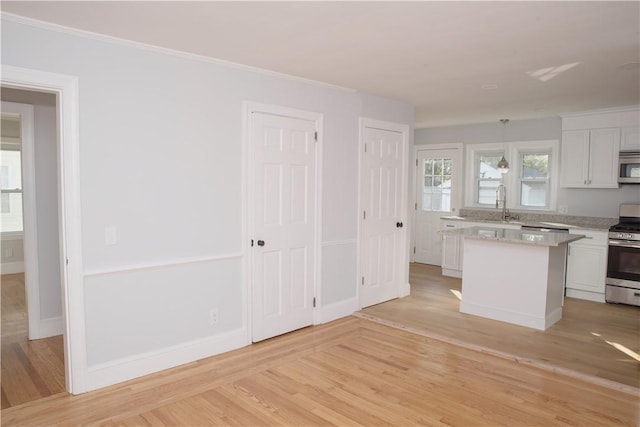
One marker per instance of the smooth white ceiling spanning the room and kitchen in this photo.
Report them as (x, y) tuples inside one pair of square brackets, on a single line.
[(537, 59)]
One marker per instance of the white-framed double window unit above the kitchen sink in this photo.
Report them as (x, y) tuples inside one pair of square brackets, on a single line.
[(531, 183)]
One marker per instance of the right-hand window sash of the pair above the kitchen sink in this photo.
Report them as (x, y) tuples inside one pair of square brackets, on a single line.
[(534, 179)]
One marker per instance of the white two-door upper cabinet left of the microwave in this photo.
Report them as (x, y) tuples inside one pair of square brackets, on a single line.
[(589, 158)]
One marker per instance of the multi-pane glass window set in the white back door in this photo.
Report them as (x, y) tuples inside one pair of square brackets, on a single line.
[(436, 187)]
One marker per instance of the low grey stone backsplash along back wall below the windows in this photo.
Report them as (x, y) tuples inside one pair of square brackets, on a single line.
[(581, 221)]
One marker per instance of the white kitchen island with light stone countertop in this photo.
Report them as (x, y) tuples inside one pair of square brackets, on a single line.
[(514, 276)]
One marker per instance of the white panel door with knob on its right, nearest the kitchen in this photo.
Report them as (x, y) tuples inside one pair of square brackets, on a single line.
[(383, 235)]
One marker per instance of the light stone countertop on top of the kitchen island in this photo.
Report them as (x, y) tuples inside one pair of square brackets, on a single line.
[(527, 237)]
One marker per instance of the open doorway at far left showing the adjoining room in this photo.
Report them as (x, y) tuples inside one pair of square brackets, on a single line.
[(33, 362)]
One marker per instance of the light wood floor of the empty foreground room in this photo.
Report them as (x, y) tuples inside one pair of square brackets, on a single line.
[(348, 372)]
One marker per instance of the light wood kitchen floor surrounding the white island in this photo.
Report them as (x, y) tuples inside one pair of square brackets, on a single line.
[(590, 339)]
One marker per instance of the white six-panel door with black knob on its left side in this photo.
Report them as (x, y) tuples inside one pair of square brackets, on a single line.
[(283, 163)]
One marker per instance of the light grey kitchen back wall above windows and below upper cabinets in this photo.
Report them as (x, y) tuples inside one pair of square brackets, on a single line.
[(579, 201)]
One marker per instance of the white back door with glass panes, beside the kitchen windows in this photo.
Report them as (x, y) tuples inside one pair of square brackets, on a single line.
[(437, 195)]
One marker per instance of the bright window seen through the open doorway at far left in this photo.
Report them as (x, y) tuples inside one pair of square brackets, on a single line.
[(10, 177)]
